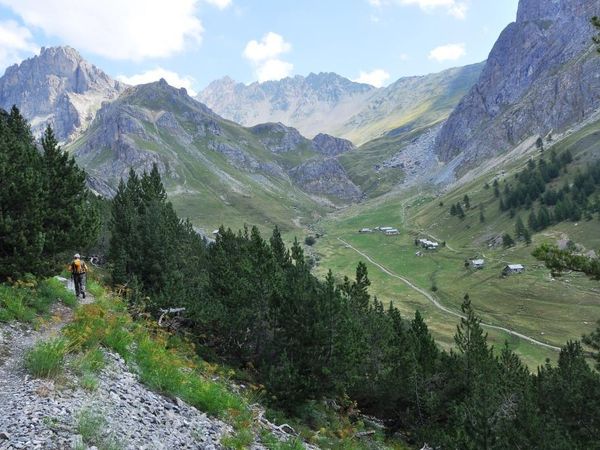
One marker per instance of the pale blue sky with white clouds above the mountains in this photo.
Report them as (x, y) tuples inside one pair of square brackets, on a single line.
[(193, 42)]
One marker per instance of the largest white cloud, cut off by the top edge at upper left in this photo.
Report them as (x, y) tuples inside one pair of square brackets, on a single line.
[(116, 29)]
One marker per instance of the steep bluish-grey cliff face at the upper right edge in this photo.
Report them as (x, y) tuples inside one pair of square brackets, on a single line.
[(541, 76)]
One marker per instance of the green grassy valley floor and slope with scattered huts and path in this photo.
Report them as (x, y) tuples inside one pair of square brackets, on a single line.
[(549, 310)]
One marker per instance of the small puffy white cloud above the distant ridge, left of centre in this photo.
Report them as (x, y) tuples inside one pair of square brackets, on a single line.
[(265, 57)]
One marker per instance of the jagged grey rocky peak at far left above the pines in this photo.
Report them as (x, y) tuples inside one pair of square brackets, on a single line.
[(59, 88)]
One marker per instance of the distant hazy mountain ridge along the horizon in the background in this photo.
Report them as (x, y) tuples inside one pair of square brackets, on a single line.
[(329, 103)]
